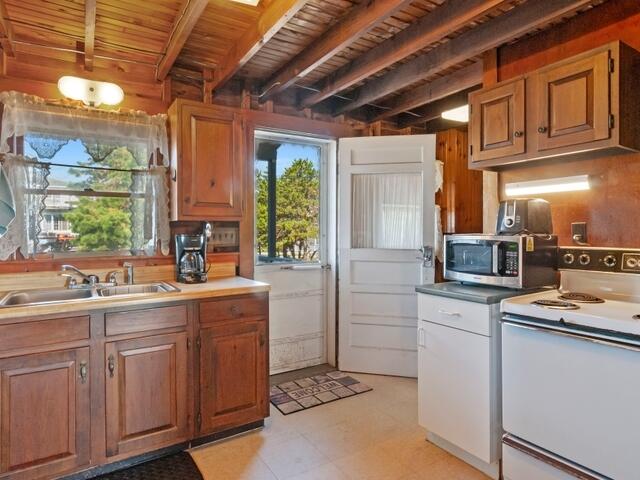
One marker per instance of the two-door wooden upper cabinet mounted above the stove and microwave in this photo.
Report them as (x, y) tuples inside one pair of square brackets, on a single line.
[(585, 106)]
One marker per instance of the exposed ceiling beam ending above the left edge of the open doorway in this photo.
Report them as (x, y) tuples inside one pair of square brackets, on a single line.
[(355, 24)]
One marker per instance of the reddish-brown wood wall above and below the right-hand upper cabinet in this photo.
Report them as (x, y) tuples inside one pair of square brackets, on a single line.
[(611, 207)]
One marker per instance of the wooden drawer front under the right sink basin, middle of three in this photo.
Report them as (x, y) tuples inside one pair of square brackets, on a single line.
[(144, 320)]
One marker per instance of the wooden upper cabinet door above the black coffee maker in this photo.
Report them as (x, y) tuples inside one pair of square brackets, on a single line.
[(211, 163)]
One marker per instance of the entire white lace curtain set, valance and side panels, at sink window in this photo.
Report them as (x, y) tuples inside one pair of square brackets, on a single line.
[(23, 181)]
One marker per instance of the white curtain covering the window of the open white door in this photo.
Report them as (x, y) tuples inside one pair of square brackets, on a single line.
[(387, 211)]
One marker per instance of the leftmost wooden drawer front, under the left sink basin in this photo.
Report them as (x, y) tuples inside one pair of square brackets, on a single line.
[(43, 332)]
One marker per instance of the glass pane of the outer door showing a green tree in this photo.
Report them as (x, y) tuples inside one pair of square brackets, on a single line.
[(287, 201)]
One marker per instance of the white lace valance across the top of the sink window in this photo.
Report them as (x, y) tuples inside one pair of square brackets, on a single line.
[(24, 113)]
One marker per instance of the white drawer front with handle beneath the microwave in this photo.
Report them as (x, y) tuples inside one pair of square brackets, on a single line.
[(469, 316)]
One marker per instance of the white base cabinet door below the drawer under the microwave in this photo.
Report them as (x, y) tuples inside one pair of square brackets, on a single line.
[(456, 400)]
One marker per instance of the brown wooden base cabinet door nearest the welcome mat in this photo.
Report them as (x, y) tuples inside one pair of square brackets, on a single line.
[(233, 375)]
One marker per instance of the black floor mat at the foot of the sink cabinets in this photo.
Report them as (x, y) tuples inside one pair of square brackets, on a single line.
[(180, 466)]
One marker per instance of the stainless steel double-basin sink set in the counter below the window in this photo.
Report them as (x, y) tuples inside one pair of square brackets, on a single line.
[(59, 295)]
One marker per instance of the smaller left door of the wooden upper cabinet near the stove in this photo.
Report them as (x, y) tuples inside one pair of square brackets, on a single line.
[(497, 121)]
